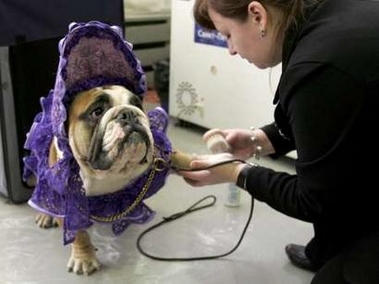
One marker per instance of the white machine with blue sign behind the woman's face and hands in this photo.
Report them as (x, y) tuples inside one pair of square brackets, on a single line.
[(208, 86)]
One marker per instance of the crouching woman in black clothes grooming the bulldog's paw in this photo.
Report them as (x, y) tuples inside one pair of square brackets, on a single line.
[(326, 109)]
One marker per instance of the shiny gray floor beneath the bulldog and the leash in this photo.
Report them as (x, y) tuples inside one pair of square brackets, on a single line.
[(33, 255)]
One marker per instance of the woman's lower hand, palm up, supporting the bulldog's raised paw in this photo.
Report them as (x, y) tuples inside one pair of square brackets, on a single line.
[(203, 173)]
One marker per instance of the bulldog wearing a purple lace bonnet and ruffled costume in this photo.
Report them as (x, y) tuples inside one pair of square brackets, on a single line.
[(95, 154)]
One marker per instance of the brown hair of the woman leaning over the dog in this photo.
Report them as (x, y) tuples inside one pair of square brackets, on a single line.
[(237, 10)]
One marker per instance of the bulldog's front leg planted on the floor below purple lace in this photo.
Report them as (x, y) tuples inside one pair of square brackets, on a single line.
[(83, 256)]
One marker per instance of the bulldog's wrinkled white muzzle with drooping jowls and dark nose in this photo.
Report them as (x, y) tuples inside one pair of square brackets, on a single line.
[(123, 140)]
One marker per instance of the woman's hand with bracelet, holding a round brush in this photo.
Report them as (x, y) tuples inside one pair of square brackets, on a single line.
[(241, 144)]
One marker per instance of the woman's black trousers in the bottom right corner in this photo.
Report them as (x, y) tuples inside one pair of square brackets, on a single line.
[(359, 264)]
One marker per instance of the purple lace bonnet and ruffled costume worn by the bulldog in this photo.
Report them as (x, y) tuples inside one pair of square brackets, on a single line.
[(91, 54)]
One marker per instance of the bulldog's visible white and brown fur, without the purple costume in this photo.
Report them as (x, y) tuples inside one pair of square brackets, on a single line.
[(110, 137)]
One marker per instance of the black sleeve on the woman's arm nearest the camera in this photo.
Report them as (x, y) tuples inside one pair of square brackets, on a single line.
[(321, 110)]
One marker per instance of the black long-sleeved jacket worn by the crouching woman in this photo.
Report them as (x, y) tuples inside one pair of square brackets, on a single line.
[(327, 109)]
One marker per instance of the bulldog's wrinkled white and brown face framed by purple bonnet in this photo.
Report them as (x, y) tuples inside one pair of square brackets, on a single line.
[(110, 138)]
